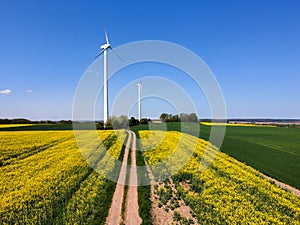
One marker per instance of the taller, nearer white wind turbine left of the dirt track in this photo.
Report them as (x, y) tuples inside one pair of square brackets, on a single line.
[(104, 48)]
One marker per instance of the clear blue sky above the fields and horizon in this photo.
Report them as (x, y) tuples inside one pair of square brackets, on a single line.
[(253, 48)]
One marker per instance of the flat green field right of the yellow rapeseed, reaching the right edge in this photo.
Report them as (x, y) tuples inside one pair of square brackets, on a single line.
[(275, 151)]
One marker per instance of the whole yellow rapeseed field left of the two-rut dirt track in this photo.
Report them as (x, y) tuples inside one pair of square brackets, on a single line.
[(45, 179)]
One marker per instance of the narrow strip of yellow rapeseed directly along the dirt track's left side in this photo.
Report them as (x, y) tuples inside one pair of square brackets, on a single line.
[(89, 204)]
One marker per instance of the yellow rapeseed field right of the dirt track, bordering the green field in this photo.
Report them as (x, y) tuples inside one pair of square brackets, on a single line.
[(228, 192)]
